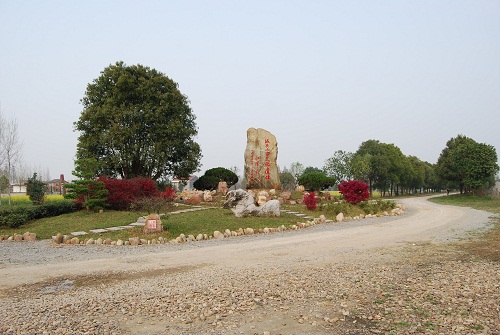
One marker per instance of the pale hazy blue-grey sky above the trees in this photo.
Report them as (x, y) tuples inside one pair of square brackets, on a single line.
[(320, 75)]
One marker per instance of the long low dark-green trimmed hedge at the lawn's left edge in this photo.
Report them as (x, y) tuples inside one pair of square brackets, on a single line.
[(14, 217)]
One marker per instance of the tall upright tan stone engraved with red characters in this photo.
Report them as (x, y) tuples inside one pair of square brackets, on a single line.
[(261, 154)]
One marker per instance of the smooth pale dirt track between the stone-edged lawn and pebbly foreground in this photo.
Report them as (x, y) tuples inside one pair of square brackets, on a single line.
[(422, 222)]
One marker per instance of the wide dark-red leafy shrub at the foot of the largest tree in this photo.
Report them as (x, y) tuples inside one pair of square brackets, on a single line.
[(123, 192)]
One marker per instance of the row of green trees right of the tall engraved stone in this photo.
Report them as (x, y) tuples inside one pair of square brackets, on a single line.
[(463, 164)]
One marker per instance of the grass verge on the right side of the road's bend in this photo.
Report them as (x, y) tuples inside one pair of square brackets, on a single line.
[(487, 245)]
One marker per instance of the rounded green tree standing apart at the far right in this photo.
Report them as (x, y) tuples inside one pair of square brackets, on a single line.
[(466, 164)]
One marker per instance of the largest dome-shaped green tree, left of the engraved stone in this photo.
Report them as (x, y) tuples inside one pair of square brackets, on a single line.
[(135, 122)]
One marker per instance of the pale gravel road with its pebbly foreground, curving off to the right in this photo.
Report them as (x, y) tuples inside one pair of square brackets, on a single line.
[(390, 275)]
